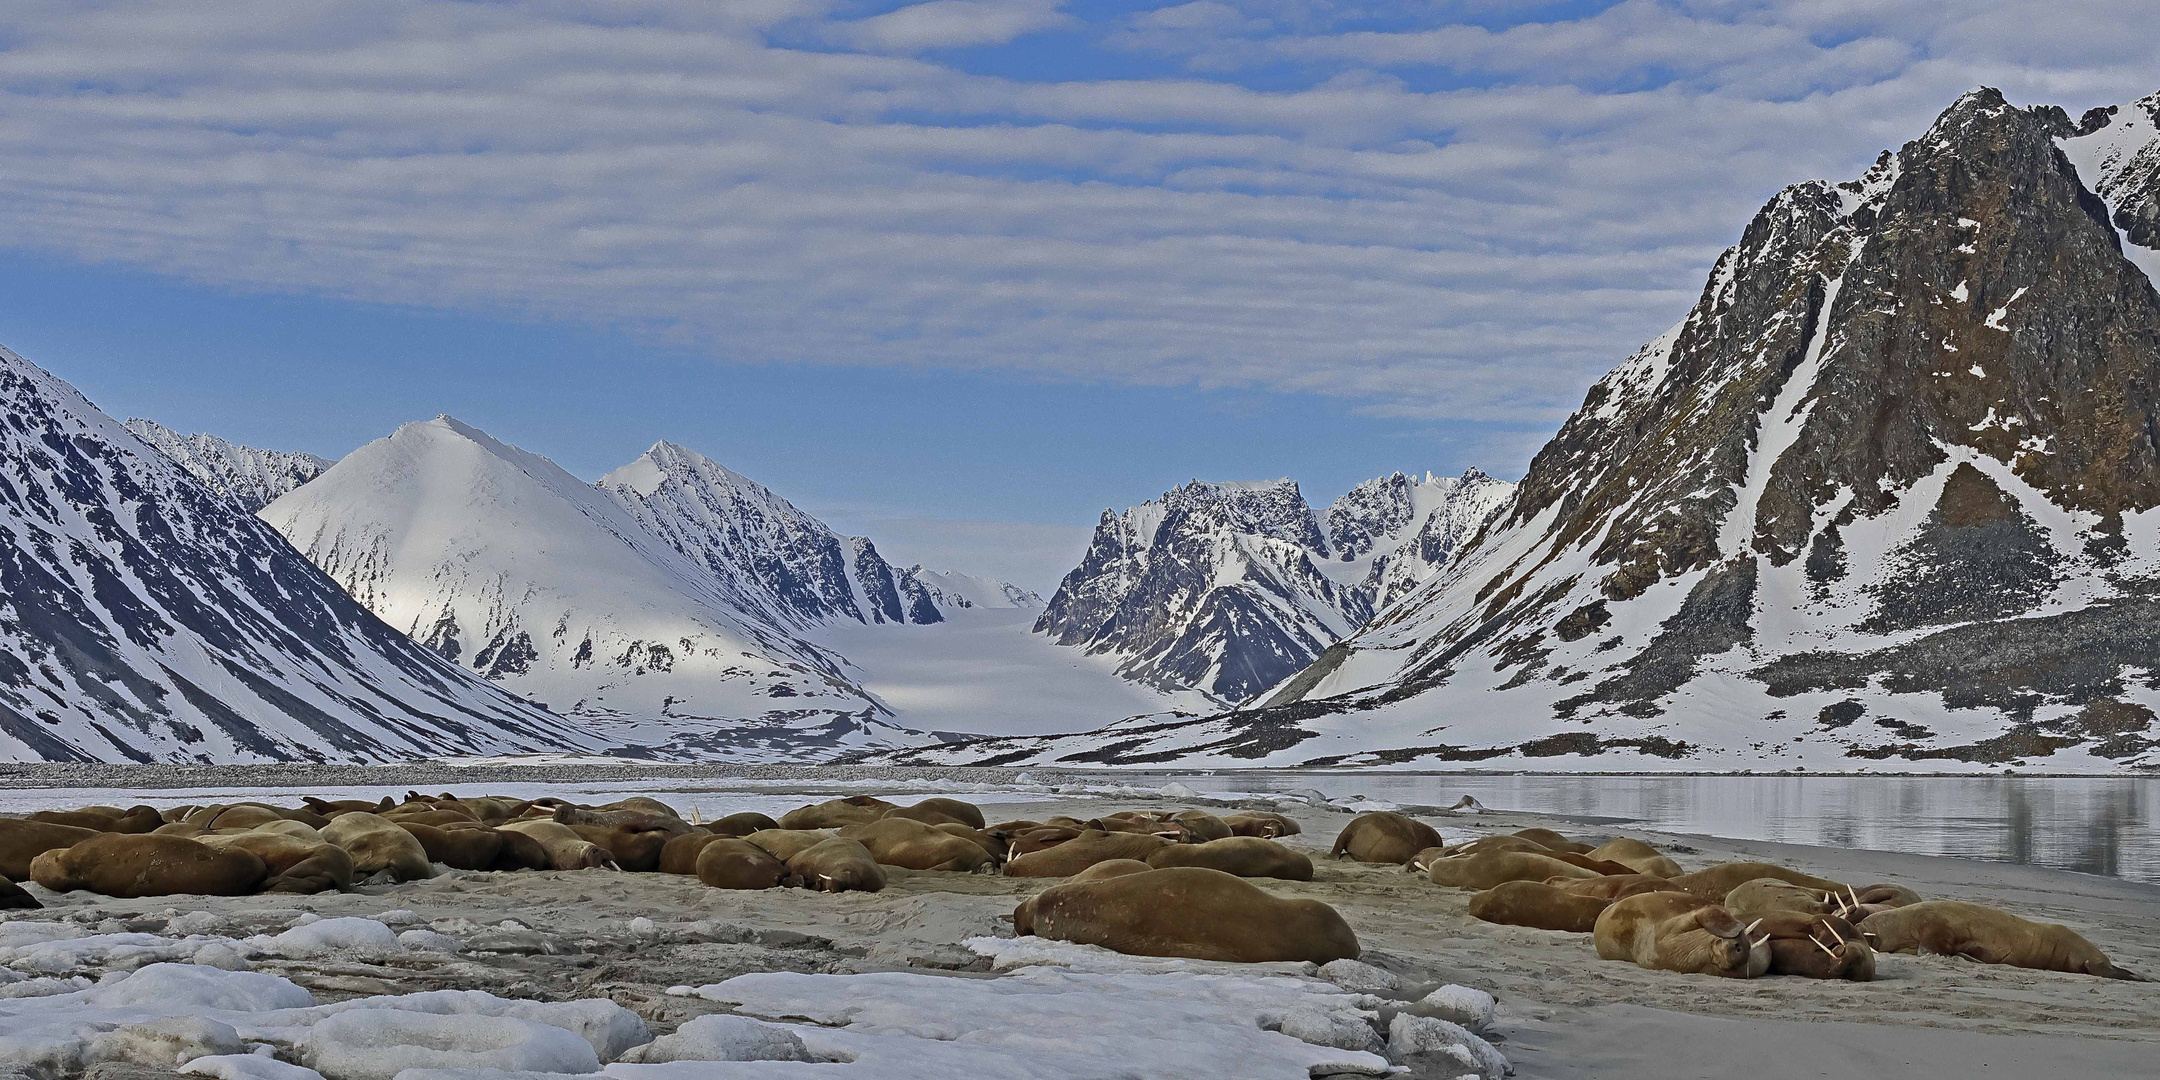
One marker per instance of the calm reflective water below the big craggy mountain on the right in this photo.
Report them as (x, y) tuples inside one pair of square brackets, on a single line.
[(2101, 826)]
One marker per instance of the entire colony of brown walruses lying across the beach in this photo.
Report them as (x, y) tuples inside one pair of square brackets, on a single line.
[(1159, 885)]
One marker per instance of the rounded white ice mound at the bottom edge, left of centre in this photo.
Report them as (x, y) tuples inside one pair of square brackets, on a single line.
[(377, 1044)]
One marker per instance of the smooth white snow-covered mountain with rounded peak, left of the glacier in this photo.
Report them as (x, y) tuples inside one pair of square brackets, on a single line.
[(526, 576)]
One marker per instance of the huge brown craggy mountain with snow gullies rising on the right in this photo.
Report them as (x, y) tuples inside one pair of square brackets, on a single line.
[(1887, 498)]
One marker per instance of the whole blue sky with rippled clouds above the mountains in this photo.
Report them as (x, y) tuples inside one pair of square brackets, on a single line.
[(956, 271)]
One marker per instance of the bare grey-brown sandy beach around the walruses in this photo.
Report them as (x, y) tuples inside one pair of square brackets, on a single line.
[(1563, 1012)]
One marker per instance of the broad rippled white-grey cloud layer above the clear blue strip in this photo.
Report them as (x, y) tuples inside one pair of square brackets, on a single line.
[(1435, 211)]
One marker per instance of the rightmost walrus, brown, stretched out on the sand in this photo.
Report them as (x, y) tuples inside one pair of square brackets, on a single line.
[(1988, 936)]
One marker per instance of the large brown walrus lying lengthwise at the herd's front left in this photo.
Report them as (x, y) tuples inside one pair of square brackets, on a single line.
[(148, 865)]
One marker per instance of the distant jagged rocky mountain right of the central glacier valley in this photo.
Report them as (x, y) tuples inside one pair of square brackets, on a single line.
[(1230, 589)]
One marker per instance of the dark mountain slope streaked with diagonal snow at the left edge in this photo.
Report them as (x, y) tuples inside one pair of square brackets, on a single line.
[(146, 617)]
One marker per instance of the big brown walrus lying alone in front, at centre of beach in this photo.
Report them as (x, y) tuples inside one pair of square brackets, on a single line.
[(1187, 913)]
